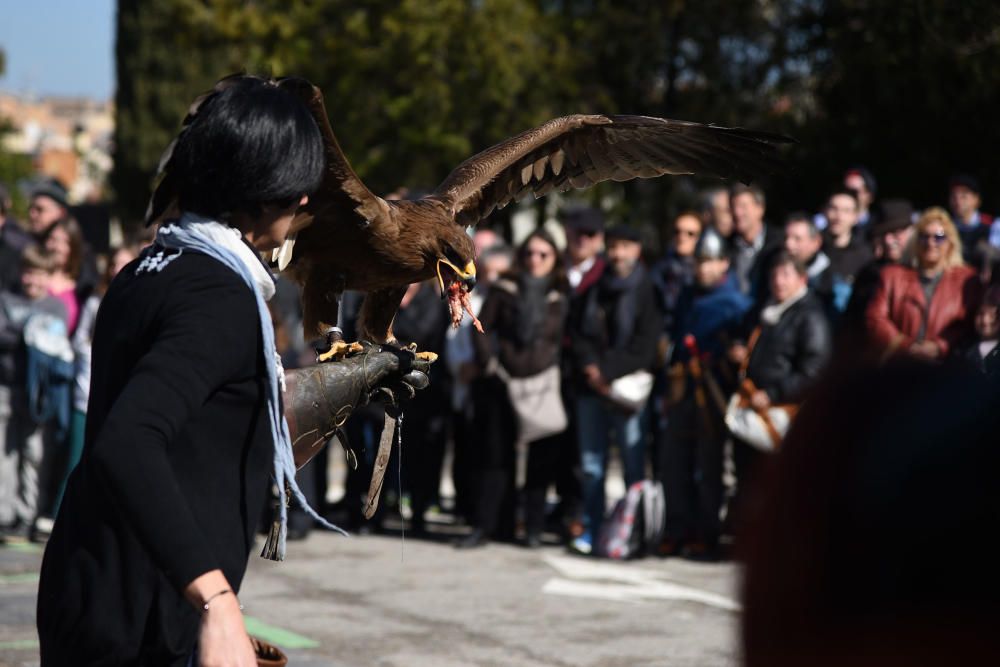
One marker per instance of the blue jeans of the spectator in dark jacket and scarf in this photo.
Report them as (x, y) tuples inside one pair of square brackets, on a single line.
[(597, 423)]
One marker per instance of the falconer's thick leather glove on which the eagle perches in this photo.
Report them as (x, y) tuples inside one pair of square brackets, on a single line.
[(319, 399)]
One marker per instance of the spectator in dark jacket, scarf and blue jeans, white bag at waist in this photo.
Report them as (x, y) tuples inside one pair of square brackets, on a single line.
[(615, 335)]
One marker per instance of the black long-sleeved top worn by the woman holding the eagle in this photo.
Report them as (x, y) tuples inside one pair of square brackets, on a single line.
[(174, 472)]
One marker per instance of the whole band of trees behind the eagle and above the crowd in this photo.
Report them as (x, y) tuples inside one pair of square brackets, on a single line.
[(414, 87)]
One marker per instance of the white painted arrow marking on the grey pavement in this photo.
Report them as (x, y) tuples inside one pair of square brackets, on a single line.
[(612, 581)]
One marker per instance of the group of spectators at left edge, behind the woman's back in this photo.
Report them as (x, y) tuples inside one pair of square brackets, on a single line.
[(50, 288)]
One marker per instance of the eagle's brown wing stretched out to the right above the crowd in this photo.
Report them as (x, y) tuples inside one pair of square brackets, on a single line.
[(579, 151)]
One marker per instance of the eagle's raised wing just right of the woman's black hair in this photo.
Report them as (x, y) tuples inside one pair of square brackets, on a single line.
[(341, 197)]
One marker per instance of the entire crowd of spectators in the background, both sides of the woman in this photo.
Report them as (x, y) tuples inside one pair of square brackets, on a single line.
[(589, 350)]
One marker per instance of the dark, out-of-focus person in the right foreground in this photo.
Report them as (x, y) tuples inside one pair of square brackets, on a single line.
[(849, 556)]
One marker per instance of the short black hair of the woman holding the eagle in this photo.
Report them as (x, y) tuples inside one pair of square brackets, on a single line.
[(248, 145)]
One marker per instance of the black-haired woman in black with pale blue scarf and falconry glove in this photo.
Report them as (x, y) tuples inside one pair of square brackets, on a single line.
[(186, 417)]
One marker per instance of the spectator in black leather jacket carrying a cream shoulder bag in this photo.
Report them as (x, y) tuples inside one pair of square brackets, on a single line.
[(784, 356)]
